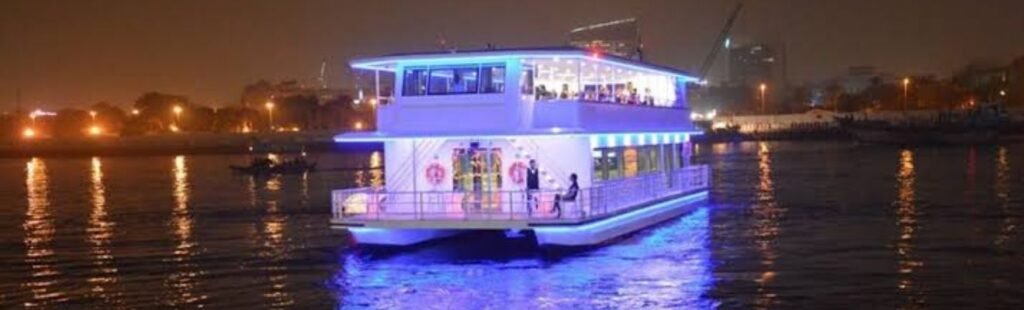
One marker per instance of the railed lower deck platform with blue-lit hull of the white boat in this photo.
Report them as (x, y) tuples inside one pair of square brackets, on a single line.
[(604, 211)]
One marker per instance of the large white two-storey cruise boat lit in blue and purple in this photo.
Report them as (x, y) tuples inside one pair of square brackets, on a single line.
[(567, 147)]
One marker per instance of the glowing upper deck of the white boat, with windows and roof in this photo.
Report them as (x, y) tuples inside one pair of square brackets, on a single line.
[(527, 92)]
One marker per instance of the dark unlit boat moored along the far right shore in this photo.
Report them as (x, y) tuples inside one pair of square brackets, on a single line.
[(984, 125)]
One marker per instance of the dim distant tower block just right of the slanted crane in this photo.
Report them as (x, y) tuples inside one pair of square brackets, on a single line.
[(752, 65)]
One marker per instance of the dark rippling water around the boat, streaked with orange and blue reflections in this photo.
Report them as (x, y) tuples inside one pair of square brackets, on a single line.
[(791, 226)]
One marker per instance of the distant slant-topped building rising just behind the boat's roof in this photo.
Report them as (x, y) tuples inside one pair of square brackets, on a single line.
[(621, 38)]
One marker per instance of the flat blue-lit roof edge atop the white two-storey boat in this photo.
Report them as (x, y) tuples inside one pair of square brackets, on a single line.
[(390, 63)]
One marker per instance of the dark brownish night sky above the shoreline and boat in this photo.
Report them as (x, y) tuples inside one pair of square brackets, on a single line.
[(77, 53)]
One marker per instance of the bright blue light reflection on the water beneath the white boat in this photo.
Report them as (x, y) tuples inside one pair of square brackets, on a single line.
[(669, 268)]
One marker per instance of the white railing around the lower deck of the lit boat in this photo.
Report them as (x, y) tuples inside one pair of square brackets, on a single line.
[(369, 204)]
